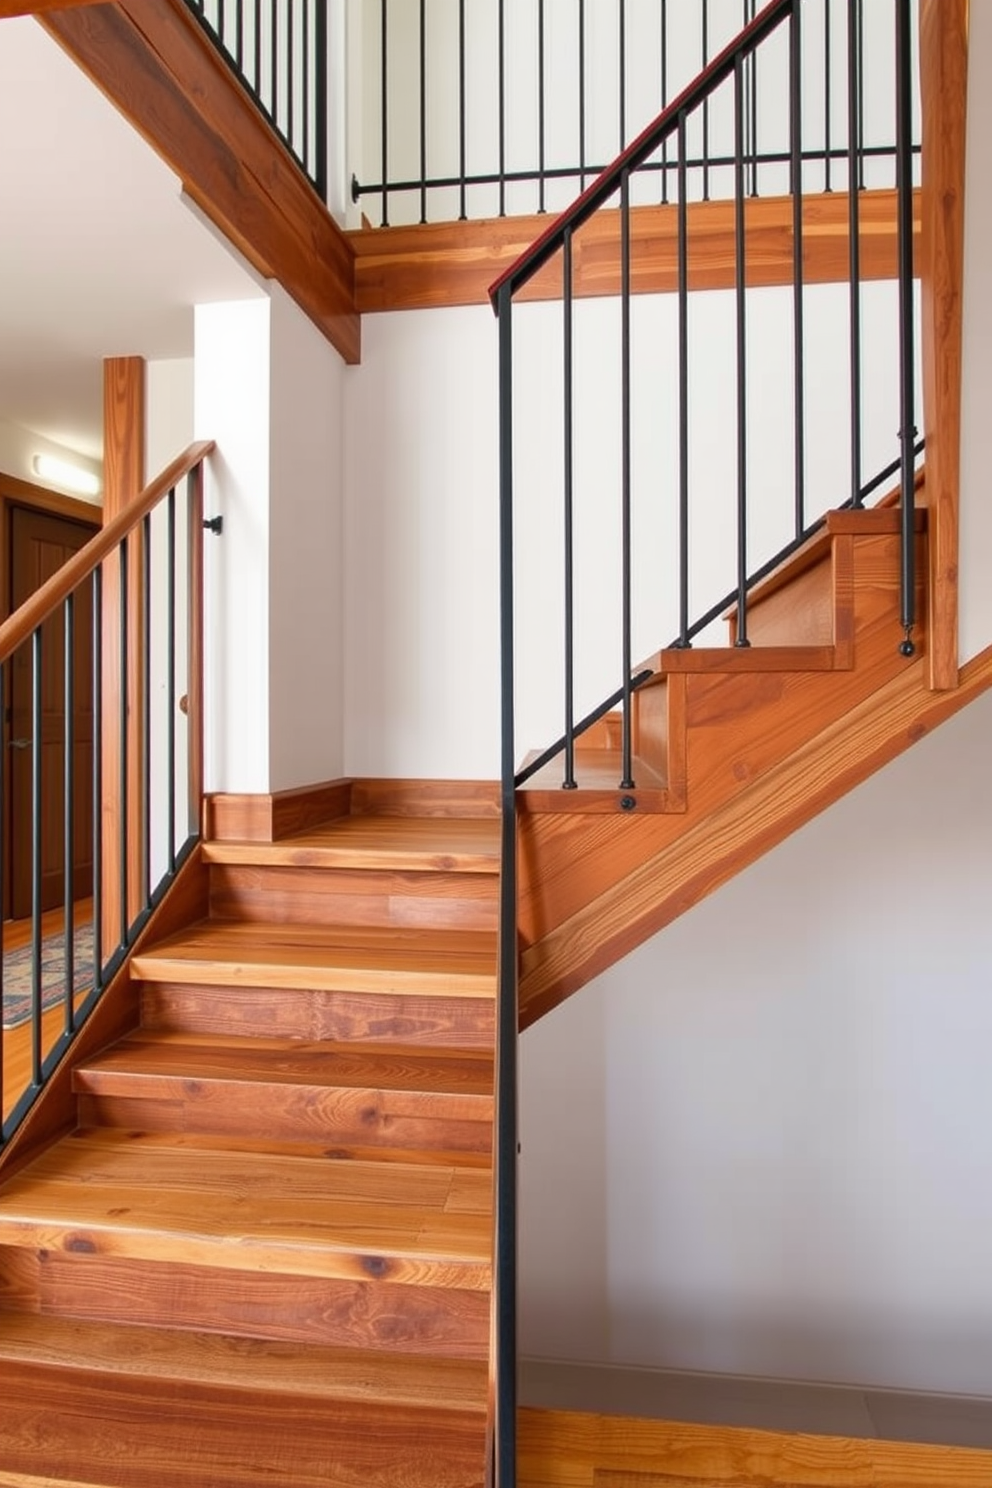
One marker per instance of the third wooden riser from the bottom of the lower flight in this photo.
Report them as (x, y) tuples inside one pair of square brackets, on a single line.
[(401, 1121)]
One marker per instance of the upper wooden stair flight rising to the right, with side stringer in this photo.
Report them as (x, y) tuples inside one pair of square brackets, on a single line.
[(734, 749)]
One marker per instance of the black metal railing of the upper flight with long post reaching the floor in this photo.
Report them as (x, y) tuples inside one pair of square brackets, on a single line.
[(669, 475)]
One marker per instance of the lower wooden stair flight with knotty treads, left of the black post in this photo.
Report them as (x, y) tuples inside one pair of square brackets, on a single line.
[(265, 1254)]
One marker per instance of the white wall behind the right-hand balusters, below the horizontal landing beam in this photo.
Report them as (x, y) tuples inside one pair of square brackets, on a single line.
[(422, 474)]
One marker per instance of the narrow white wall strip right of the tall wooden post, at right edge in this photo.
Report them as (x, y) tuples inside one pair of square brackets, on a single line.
[(976, 508)]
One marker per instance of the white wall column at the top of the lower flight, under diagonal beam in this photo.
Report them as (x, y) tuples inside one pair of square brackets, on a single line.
[(268, 391)]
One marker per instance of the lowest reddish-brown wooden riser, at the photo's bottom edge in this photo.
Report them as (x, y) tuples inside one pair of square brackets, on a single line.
[(148, 1434)]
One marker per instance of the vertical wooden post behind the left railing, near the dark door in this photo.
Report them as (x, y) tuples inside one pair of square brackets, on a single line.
[(124, 478)]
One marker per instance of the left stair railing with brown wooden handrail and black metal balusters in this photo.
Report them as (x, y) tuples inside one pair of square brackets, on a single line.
[(102, 673)]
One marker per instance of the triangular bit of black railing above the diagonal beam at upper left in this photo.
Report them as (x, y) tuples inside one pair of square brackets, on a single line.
[(279, 51)]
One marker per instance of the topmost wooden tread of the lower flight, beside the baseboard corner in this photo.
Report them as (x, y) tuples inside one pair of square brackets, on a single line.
[(411, 844)]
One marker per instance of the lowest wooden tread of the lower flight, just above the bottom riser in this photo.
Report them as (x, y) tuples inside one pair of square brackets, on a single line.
[(242, 1364)]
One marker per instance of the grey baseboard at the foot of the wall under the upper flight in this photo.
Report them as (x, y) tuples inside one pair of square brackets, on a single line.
[(761, 1404)]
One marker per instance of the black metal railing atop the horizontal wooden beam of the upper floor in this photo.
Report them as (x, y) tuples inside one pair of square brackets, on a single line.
[(499, 108)]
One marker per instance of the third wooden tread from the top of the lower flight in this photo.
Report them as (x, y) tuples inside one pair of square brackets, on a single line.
[(289, 1062)]
